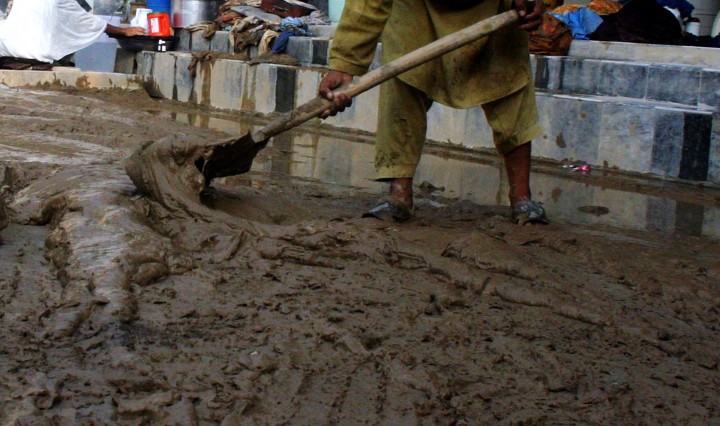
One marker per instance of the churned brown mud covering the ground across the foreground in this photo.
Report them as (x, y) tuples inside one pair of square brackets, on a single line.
[(116, 310)]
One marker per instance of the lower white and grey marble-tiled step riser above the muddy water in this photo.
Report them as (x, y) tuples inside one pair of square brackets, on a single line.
[(633, 135)]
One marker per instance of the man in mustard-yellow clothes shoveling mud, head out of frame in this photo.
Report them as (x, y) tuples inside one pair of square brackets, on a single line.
[(493, 72)]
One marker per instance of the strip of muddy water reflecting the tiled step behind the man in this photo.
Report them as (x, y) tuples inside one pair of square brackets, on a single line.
[(344, 161)]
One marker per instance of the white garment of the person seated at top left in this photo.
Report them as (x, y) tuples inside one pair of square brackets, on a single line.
[(47, 30)]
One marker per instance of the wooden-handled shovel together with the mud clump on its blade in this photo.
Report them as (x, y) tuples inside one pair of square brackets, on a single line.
[(174, 170)]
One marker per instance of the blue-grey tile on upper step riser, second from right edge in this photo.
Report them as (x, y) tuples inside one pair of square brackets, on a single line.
[(673, 84)]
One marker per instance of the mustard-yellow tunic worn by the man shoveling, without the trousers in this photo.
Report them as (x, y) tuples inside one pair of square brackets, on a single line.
[(481, 72)]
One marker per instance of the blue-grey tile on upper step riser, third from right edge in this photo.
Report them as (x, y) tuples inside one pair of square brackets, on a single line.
[(623, 79)]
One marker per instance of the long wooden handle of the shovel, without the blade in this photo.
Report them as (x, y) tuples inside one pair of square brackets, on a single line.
[(392, 69)]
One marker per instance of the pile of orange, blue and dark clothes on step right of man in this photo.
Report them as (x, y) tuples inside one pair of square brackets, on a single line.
[(633, 21)]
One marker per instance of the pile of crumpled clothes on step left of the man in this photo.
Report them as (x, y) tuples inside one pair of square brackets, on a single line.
[(249, 25)]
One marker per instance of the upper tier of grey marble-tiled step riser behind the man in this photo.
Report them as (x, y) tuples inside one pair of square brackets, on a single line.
[(696, 86)]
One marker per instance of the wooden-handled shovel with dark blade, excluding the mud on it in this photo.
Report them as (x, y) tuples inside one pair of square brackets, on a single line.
[(236, 157)]
